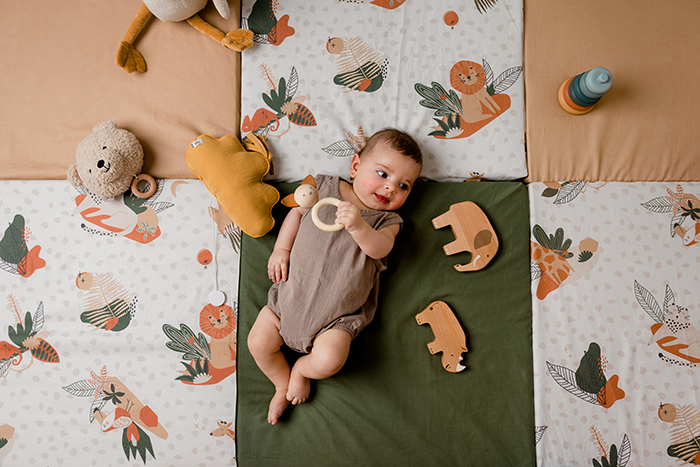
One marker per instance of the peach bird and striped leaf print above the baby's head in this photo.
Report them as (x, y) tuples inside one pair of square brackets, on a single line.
[(360, 68)]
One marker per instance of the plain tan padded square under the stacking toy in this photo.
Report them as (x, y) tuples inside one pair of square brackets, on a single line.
[(647, 127)]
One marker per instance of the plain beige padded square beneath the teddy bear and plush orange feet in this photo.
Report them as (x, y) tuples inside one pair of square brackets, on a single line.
[(59, 79)]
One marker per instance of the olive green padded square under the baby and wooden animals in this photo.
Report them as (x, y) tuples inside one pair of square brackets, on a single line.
[(393, 403)]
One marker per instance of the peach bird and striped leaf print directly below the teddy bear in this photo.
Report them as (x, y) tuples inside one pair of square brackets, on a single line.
[(107, 304)]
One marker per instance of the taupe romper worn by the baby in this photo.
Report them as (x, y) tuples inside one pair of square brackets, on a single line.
[(332, 283)]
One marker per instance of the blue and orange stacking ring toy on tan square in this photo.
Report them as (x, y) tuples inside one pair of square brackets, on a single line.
[(578, 95)]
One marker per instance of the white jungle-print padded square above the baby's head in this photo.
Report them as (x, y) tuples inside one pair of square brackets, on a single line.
[(321, 77)]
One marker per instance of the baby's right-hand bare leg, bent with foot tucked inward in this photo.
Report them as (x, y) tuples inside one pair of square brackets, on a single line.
[(328, 355)]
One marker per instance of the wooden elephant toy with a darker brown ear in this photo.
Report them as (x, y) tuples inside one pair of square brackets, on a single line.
[(473, 233)]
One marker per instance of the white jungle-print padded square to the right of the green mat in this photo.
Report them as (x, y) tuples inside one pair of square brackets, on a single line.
[(615, 270)]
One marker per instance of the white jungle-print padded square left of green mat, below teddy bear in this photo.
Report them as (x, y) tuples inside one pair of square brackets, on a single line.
[(111, 352)]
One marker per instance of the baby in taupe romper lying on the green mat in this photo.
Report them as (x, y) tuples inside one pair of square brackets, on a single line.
[(326, 284)]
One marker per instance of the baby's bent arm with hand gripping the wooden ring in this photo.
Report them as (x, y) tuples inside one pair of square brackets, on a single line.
[(374, 243)]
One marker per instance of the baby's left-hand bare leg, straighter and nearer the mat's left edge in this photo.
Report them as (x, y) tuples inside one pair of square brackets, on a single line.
[(264, 344)]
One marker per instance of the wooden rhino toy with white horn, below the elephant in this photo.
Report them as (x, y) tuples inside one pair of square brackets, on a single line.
[(449, 335)]
